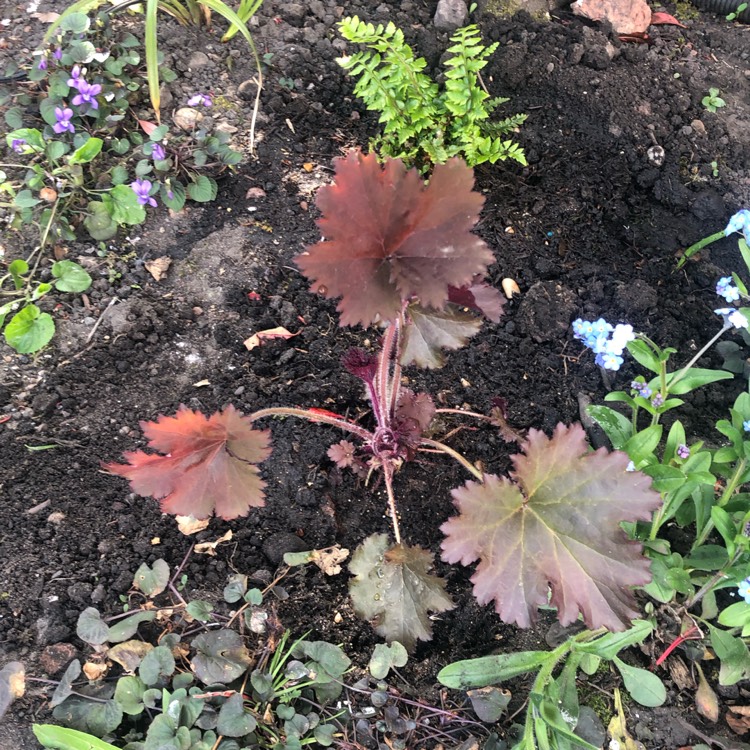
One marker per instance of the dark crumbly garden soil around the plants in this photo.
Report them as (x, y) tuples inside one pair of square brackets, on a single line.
[(591, 227)]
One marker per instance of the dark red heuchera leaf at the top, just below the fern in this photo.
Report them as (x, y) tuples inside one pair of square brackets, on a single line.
[(390, 239)]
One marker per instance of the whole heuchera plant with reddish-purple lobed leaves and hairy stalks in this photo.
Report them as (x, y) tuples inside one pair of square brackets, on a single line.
[(400, 254)]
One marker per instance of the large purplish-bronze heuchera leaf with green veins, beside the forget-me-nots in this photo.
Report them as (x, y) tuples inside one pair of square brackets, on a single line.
[(556, 526)]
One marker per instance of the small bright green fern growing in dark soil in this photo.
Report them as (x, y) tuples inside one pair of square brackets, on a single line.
[(421, 124)]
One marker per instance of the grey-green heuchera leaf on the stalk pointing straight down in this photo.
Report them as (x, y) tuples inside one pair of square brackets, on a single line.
[(393, 589)]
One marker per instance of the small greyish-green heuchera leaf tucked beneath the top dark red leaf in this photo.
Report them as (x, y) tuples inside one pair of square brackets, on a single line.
[(428, 331)]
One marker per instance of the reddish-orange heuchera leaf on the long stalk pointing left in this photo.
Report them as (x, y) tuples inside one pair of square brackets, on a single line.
[(209, 464)]
